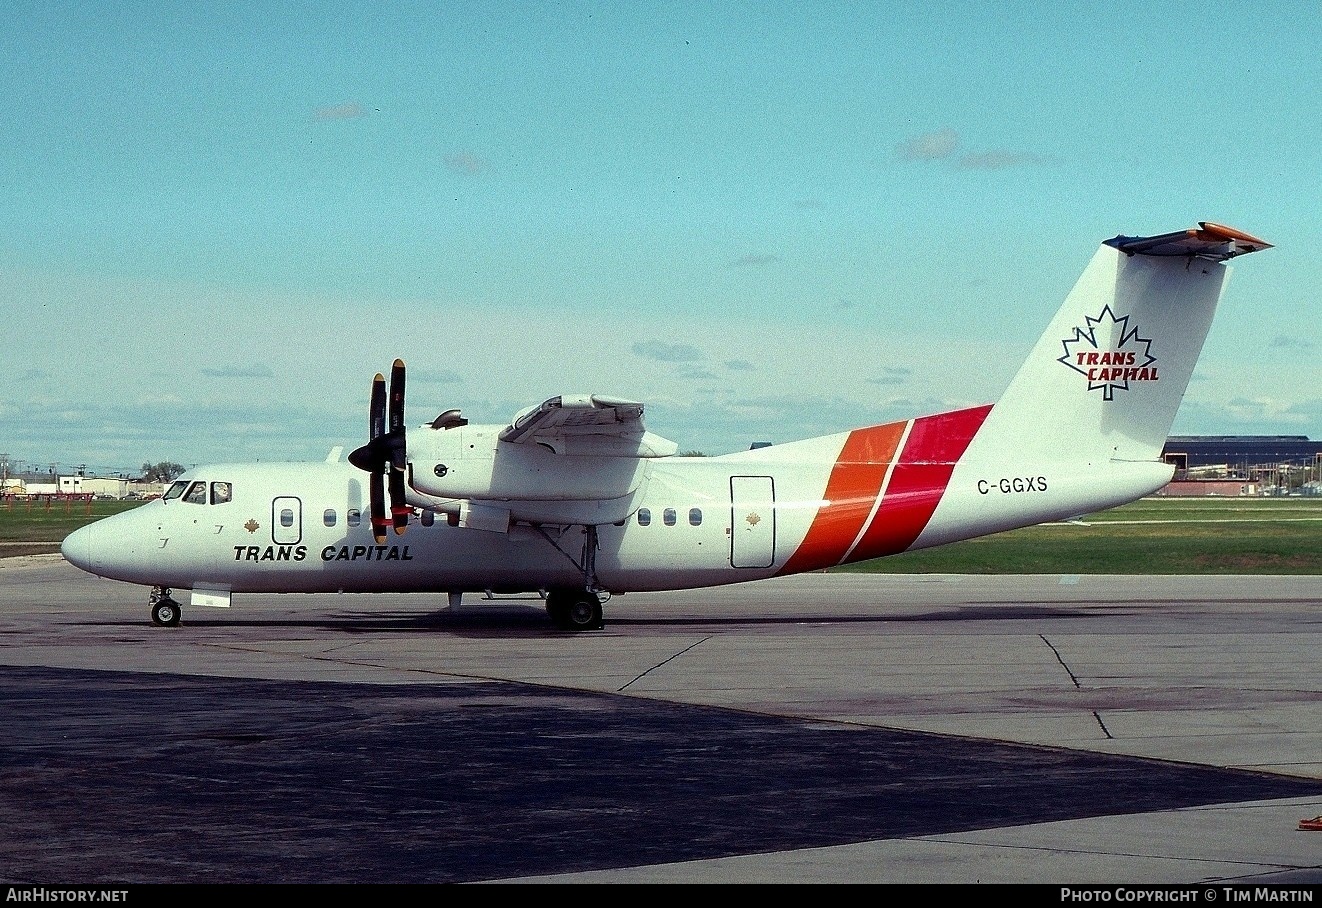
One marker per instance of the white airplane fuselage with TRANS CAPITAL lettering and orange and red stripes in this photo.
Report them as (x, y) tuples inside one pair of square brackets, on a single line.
[(695, 521)]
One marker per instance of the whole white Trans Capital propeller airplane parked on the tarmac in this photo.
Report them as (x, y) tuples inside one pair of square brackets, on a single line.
[(577, 502)]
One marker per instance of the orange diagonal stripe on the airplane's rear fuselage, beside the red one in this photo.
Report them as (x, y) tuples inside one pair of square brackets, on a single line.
[(856, 480)]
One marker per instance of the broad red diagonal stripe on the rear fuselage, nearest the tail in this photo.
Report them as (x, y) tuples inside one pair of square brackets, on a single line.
[(935, 445)]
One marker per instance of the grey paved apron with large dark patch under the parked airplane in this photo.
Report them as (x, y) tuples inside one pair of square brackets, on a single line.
[(831, 728)]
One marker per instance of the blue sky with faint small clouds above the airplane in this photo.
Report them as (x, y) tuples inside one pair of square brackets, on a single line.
[(765, 220)]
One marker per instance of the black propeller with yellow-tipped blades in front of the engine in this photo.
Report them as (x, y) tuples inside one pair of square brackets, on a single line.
[(387, 453)]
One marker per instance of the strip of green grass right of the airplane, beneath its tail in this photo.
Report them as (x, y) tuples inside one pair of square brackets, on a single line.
[(1156, 536)]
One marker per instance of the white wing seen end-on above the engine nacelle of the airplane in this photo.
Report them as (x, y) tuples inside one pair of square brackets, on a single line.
[(588, 425)]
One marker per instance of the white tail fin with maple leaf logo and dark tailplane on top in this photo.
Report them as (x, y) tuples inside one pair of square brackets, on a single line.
[(1107, 377)]
